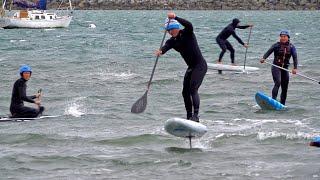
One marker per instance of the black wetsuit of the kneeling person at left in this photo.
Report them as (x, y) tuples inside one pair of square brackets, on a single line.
[(17, 108)]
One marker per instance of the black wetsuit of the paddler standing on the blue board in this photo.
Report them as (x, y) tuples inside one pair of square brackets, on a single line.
[(282, 55)]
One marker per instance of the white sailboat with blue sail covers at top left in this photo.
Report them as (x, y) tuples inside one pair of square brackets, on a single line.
[(35, 18)]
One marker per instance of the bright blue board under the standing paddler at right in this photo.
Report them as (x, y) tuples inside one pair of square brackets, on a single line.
[(266, 102)]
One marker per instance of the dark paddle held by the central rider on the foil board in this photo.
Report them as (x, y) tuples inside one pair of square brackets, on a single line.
[(140, 105)]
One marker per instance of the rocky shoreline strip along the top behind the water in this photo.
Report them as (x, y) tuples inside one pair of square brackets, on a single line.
[(197, 5)]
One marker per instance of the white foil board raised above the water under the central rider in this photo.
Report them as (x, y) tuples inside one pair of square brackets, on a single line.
[(184, 128)]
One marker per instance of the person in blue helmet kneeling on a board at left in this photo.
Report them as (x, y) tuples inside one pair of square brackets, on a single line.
[(17, 108)]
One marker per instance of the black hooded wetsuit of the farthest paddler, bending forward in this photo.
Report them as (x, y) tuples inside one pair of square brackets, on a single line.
[(225, 34)]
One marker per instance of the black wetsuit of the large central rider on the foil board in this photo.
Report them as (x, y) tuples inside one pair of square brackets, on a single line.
[(186, 44)]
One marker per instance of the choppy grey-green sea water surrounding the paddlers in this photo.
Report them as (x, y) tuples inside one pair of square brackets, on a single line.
[(91, 77)]
